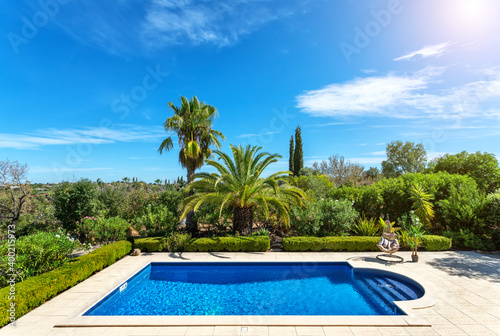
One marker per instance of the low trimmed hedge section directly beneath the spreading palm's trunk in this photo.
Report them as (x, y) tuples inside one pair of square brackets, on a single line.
[(231, 244)]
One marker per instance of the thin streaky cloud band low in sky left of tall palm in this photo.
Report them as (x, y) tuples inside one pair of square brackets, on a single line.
[(89, 135)]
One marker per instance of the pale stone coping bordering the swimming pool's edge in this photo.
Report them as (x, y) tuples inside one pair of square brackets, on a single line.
[(429, 299)]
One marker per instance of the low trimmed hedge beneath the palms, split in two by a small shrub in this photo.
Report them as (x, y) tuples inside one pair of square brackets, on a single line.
[(217, 244)]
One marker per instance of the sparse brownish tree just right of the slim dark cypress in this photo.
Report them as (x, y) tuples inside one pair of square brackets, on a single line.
[(340, 171)]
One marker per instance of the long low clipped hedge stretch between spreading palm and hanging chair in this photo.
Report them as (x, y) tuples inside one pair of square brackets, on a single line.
[(349, 244)]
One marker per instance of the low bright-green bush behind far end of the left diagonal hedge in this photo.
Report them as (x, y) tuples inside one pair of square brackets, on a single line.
[(97, 230)]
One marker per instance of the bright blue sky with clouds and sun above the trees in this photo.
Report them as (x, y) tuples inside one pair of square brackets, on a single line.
[(85, 84)]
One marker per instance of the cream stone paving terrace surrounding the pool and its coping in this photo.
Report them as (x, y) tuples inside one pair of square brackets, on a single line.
[(468, 285)]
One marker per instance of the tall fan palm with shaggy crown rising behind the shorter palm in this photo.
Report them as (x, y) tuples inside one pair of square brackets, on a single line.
[(192, 123)]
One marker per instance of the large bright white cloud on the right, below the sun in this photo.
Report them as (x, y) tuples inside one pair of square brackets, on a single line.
[(406, 96)]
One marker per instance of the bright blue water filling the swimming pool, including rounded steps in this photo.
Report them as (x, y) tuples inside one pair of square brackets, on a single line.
[(257, 289)]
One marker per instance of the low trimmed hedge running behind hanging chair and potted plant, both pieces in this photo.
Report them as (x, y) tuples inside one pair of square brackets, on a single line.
[(356, 243)]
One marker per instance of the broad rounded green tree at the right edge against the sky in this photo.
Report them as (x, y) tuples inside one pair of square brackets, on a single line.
[(482, 167)]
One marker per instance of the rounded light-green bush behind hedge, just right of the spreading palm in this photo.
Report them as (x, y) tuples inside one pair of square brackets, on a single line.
[(324, 217)]
